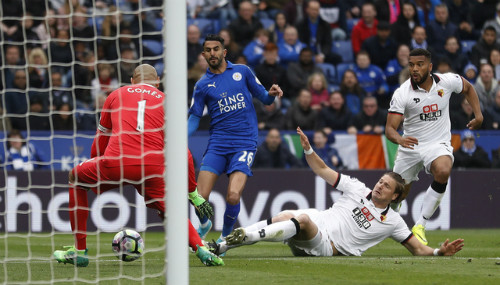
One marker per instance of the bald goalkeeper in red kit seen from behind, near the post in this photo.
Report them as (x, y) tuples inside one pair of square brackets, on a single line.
[(128, 149)]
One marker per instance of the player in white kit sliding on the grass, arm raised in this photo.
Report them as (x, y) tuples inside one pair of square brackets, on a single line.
[(360, 219)]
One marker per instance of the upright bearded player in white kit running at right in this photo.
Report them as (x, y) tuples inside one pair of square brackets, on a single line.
[(423, 103)]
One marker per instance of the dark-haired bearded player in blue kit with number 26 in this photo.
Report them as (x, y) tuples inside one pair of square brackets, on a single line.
[(227, 90)]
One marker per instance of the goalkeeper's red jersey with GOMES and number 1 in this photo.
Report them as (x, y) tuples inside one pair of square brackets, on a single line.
[(135, 116)]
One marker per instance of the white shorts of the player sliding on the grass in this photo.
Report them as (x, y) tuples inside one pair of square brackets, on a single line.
[(320, 245)]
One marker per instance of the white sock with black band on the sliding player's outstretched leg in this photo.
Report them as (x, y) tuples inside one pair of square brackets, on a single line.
[(275, 232)]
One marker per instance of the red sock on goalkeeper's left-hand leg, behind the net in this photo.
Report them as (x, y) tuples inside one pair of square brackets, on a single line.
[(78, 215)]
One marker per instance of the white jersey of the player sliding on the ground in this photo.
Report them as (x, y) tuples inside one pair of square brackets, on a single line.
[(354, 224)]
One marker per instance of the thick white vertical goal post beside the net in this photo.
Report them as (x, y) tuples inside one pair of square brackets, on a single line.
[(176, 180)]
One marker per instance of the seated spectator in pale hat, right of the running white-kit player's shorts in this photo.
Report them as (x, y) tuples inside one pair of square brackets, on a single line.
[(470, 155)]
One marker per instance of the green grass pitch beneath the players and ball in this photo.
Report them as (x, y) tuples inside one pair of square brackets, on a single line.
[(262, 263)]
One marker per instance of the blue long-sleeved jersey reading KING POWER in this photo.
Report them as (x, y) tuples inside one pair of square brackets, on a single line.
[(228, 97)]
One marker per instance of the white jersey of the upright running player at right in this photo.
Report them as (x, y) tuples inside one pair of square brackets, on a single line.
[(426, 114)]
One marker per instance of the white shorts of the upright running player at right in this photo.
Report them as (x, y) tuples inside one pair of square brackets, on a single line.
[(409, 162)]
